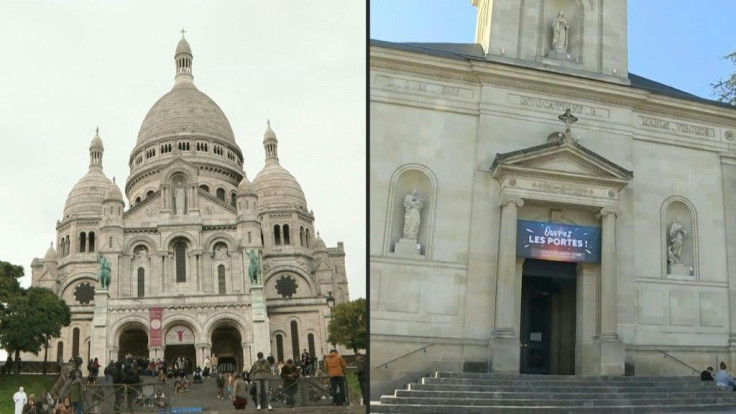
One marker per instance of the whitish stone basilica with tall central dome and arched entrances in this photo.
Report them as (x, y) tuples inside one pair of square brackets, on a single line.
[(204, 261)]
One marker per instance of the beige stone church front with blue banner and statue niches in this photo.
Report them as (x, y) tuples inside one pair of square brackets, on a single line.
[(536, 208)]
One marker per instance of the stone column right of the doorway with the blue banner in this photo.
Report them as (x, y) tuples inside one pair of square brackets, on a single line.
[(611, 348)]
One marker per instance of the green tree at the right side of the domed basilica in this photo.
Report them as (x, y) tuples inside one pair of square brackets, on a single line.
[(347, 326)]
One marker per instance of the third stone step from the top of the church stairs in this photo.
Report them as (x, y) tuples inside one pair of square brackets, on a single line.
[(603, 387)]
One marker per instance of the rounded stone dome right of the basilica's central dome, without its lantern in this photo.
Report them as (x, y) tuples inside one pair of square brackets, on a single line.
[(276, 186)]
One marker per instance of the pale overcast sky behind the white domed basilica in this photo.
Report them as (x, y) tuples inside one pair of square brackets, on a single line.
[(69, 67)]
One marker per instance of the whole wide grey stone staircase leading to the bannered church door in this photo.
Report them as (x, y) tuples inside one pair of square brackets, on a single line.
[(465, 393)]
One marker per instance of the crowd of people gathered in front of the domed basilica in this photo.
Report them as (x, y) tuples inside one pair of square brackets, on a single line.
[(254, 382)]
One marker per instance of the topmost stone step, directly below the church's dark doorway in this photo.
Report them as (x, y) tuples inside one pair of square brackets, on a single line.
[(527, 377)]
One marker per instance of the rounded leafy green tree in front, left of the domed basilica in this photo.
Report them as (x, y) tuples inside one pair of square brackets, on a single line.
[(31, 319)]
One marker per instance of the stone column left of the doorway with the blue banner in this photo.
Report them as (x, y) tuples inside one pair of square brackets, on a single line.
[(505, 336)]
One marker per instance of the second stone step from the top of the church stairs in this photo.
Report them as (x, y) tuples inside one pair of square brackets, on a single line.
[(559, 383)]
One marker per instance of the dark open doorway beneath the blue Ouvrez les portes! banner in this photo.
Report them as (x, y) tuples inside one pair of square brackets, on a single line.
[(548, 296)]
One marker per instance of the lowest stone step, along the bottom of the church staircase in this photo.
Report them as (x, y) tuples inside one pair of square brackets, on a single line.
[(642, 409)]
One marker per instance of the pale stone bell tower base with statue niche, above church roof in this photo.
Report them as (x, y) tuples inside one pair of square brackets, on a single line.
[(580, 37)]
